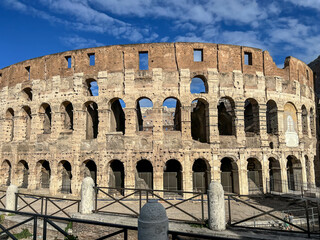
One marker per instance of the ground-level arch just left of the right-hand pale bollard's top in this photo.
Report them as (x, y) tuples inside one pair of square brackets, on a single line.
[(201, 175)]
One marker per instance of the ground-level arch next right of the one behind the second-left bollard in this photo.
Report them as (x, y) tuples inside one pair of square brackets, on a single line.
[(116, 176)]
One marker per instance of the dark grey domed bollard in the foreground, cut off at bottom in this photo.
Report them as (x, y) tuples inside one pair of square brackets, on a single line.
[(153, 222)]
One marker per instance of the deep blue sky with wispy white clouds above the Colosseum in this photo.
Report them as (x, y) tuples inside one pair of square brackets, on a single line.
[(35, 28)]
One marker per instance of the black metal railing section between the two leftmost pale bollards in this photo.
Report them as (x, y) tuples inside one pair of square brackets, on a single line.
[(46, 205)]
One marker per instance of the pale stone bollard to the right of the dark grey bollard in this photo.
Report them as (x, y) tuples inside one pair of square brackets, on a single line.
[(216, 207)]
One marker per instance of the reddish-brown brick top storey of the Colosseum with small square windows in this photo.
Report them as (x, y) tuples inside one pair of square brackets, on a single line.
[(168, 56)]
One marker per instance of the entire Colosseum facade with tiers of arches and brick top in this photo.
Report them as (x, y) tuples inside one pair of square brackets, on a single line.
[(167, 116)]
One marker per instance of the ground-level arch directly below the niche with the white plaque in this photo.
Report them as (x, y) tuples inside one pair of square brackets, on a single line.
[(294, 173)]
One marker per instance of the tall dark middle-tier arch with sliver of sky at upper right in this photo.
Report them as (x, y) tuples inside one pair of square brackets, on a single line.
[(117, 117)]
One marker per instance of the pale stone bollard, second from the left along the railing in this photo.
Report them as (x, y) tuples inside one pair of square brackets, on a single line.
[(87, 196)]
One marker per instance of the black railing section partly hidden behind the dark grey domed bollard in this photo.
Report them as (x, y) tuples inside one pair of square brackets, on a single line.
[(133, 200)]
